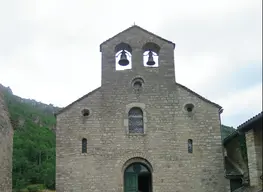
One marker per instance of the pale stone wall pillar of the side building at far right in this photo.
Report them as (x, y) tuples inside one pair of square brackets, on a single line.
[(254, 151)]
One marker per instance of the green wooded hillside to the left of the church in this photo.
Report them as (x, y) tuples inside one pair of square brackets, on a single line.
[(33, 144)]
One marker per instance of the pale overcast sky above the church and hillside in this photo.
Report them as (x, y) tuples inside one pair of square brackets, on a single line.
[(49, 49)]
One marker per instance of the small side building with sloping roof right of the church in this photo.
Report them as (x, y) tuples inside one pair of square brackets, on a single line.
[(243, 156)]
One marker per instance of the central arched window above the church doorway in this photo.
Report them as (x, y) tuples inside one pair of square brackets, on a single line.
[(135, 120)]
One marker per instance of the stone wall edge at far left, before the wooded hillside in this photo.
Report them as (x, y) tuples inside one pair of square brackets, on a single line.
[(6, 148)]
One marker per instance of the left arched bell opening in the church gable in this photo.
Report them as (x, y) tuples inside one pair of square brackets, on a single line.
[(123, 56)]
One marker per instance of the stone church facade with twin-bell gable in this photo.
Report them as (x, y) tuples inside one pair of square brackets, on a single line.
[(141, 130)]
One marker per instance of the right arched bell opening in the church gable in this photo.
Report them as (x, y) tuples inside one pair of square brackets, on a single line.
[(151, 55)]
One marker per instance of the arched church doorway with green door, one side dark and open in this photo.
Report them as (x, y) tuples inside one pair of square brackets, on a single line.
[(137, 178)]
